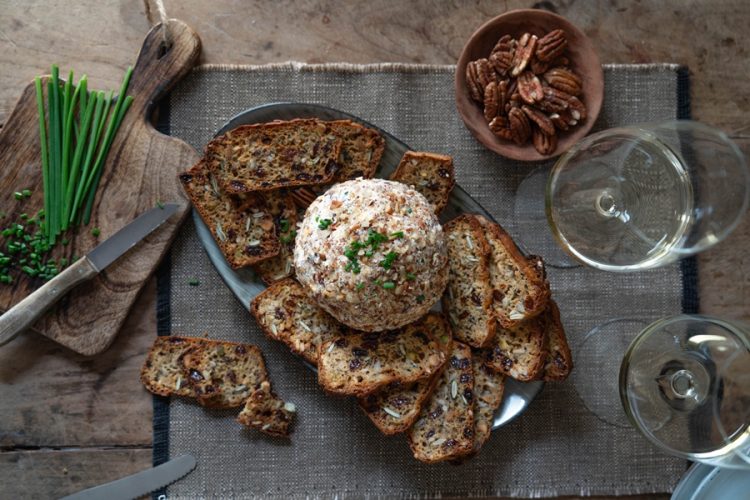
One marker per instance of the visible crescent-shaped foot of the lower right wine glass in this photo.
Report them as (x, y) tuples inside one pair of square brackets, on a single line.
[(596, 377)]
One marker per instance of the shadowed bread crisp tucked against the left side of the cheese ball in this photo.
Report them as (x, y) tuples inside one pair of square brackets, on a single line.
[(284, 213)]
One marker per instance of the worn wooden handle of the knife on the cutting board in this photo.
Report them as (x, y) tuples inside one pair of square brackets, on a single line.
[(21, 316)]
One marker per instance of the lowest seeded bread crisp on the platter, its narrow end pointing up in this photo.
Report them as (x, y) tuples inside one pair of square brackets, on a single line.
[(445, 427)]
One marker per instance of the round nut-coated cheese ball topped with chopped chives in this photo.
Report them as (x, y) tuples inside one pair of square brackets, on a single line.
[(372, 253)]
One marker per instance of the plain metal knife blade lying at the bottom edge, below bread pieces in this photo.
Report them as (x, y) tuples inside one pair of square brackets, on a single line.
[(140, 483)]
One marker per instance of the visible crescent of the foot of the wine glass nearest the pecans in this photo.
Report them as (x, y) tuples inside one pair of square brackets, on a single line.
[(532, 229)]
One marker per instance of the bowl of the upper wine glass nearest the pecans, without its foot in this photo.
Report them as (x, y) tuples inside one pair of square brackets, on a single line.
[(643, 196)]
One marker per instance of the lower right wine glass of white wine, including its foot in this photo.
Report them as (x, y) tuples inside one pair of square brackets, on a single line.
[(684, 383)]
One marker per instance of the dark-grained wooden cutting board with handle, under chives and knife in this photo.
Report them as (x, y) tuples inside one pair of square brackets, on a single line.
[(141, 171)]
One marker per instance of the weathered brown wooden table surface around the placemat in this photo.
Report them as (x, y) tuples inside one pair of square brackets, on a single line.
[(67, 422)]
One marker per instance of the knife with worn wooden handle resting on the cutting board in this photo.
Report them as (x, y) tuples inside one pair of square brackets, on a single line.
[(25, 313)]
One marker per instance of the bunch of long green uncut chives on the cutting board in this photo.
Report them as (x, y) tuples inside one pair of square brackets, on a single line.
[(75, 136)]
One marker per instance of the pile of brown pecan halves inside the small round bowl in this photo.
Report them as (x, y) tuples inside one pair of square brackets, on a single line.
[(528, 89)]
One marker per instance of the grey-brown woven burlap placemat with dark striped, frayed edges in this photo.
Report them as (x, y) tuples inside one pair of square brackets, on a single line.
[(557, 447)]
